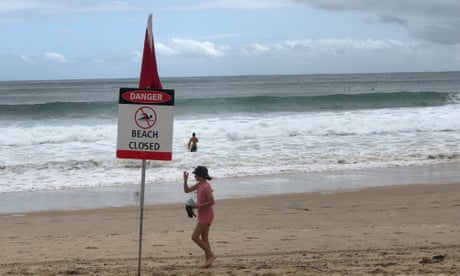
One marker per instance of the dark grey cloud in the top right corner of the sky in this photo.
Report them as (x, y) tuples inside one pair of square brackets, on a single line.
[(434, 21)]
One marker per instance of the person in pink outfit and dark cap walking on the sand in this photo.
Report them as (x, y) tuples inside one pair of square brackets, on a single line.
[(204, 204)]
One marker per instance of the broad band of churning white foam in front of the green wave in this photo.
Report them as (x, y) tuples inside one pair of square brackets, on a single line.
[(81, 154)]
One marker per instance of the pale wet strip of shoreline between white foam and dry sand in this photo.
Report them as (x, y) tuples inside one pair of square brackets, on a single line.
[(228, 188)]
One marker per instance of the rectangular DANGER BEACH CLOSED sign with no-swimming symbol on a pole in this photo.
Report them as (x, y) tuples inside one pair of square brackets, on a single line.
[(145, 124)]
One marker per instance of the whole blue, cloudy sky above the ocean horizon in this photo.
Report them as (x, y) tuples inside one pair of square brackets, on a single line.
[(91, 39)]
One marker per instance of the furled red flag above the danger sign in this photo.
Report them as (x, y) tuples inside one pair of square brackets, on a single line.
[(149, 72)]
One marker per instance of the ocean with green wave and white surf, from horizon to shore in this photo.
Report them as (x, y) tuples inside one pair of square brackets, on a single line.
[(61, 134)]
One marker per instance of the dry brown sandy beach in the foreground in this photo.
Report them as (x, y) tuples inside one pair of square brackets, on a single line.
[(382, 230)]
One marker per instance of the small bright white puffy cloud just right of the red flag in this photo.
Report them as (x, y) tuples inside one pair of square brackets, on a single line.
[(189, 47)]
